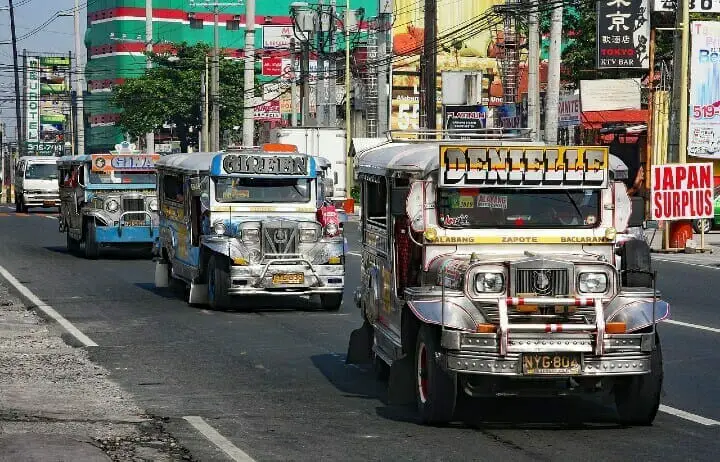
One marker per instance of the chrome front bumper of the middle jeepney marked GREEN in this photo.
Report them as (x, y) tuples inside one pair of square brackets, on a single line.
[(258, 279)]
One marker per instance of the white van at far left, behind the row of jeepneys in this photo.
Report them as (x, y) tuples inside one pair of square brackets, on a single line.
[(36, 183)]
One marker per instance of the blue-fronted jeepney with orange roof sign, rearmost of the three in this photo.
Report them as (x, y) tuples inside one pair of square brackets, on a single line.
[(108, 200)]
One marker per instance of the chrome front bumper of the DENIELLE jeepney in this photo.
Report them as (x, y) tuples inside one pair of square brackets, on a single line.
[(624, 354)]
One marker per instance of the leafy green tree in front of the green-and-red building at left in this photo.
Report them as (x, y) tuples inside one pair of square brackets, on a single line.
[(170, 93)]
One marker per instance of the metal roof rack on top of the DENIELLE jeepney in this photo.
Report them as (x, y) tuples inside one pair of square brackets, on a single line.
[(425, 135)]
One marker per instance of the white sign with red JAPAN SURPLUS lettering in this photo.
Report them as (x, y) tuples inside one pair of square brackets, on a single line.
[(682, 191)]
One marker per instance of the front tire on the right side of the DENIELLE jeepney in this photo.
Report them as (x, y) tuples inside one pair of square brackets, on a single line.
[(637, 399)]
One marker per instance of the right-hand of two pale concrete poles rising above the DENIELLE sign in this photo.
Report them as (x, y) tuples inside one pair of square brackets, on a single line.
[(553, 91)]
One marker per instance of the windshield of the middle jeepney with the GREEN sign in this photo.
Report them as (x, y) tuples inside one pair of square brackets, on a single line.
[(262, 189)]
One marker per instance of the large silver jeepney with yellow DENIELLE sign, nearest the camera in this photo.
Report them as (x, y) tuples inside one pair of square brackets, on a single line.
[(504, 268)]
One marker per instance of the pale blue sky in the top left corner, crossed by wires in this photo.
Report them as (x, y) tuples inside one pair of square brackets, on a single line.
[(56, 37)]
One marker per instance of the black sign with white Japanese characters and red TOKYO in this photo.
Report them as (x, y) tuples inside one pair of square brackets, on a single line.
[(623, 34)]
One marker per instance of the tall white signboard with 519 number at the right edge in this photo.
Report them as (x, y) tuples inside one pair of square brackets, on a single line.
[(704, 120)]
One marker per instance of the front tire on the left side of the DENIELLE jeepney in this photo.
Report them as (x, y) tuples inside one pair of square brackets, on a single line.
[(435, 388)]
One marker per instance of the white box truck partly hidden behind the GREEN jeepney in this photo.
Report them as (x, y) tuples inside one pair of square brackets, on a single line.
[(329, 143)]
